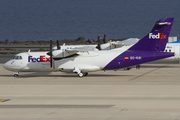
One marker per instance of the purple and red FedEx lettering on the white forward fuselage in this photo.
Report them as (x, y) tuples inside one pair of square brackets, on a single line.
[(42, 58)]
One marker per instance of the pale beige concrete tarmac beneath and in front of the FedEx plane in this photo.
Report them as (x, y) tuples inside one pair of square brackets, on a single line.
[(149, 93)]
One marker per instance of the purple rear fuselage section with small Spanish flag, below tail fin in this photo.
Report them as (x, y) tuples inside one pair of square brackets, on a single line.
[(134, 58)]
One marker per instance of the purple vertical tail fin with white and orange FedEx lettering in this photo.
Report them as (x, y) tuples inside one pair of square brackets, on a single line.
[(158, 37)]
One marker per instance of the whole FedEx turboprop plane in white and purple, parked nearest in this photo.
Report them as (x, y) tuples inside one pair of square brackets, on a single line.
[(79, 61)]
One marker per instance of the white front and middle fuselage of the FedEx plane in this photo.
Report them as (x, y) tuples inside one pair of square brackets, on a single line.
[(39, 61)]
